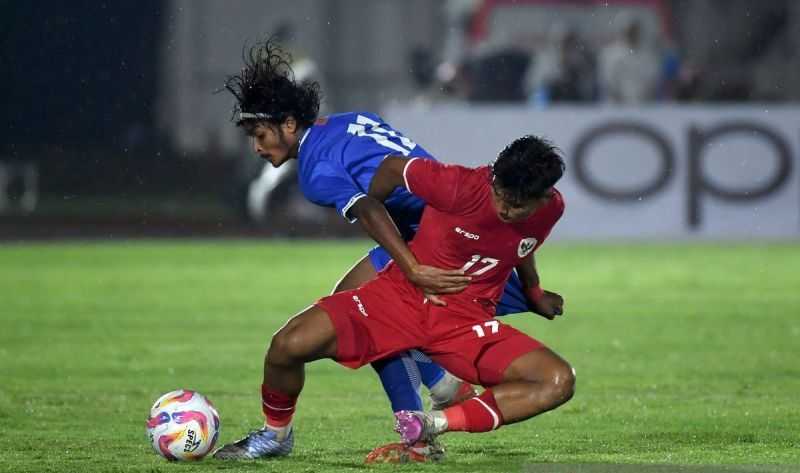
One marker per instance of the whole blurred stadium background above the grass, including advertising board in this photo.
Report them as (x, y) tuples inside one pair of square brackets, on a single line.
[(679, 118)]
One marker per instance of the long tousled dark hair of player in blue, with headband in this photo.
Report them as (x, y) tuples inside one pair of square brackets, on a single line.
[(266, 85)]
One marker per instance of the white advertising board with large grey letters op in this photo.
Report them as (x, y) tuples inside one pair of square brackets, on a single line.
[(728, 172)]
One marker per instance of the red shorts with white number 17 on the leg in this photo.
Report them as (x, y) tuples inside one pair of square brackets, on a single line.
[(386, 317)]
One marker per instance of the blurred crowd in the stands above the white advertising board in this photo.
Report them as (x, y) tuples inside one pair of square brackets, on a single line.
[(625, 52)]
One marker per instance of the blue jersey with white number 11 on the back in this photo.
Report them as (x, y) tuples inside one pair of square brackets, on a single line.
[(338, 158)]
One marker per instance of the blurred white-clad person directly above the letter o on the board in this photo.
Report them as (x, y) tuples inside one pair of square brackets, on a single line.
[(630, 67)]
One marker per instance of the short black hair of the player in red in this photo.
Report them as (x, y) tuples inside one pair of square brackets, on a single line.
[(527, 168)]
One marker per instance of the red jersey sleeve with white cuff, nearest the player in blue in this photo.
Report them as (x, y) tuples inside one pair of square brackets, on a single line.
[(434, 182)]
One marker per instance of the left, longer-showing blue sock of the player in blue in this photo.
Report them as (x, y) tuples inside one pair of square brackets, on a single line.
[(401, 381)]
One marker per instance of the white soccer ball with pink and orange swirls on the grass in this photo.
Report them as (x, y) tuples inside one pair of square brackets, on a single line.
[(183, 425)]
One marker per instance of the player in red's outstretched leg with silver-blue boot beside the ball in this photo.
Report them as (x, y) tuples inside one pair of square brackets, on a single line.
[(306, 337)]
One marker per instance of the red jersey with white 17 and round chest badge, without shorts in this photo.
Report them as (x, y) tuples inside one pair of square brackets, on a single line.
[(460, 228)]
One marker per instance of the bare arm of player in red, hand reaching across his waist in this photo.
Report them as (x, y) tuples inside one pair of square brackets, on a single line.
[(378, 224)]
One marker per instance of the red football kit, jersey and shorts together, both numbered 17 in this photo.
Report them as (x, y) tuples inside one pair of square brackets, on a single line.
[(459, 229)]
